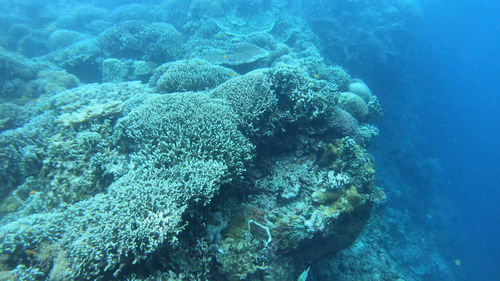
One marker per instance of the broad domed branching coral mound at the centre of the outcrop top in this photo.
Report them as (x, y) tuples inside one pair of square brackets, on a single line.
[(153, 129)]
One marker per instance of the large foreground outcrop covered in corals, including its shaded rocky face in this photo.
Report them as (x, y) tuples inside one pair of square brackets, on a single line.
[(126, 176)]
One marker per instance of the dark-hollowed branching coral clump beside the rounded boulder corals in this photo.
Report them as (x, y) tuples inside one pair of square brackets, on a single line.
[(268, 100)]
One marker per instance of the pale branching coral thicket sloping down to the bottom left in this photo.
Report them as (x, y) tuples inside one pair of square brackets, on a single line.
[(123, 226)]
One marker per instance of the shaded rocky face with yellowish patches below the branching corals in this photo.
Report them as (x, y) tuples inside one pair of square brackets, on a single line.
[(302, 209)]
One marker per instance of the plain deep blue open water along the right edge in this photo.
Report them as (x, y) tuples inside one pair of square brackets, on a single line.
[(457, 64)]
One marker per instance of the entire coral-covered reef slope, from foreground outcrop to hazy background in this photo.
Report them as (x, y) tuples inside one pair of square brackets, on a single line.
[(239, 154)]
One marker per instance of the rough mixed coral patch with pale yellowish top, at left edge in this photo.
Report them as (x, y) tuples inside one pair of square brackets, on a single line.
[(61, 147)]
